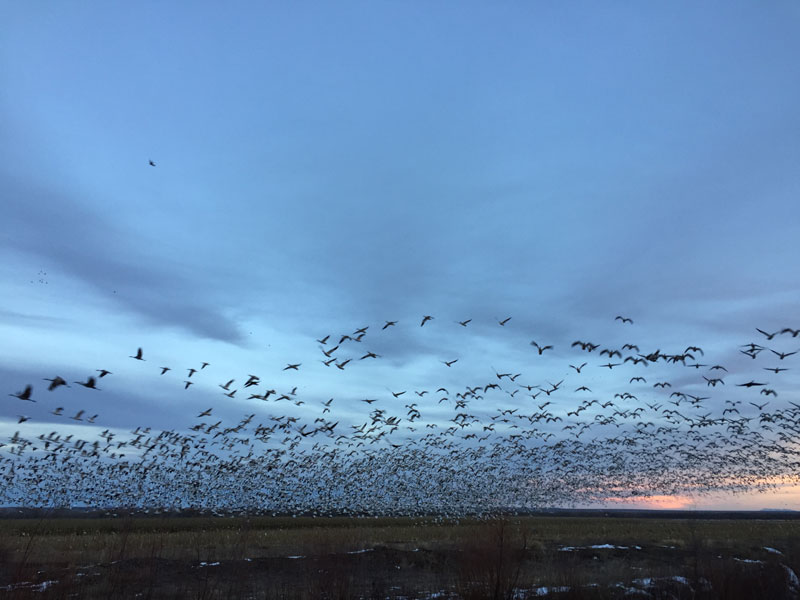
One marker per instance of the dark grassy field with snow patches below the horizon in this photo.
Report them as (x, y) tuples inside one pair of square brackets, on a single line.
[(514, 557)]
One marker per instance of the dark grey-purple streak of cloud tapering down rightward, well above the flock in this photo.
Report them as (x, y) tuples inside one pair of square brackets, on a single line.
[(108, 258)]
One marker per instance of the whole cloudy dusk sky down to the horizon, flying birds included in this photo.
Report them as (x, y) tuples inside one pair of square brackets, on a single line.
[(543, 259)]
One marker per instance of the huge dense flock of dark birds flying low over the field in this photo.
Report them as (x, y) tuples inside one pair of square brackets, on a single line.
[(673, 423)]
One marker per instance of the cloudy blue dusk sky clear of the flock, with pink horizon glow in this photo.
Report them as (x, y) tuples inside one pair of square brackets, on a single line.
[(321, 168)]
